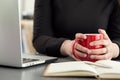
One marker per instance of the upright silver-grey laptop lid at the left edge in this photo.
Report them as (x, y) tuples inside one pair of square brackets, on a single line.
[(10, 46)]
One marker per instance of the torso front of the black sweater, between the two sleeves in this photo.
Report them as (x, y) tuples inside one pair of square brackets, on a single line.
[(80, 16)]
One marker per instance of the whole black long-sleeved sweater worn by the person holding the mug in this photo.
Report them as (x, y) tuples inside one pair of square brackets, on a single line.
[(58, 20)]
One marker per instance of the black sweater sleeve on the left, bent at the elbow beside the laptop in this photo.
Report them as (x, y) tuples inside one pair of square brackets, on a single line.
[(43, 35)]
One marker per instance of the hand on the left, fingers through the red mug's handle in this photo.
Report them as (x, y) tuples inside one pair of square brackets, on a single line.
[(66, 48)]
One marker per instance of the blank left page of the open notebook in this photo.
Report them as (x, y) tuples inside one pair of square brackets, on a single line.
[(69, 66)]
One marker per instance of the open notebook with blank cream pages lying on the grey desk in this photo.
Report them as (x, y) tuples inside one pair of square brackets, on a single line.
[(102, 69)]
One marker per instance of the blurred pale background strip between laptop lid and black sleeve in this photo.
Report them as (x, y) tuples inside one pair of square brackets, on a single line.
[(27, 12)]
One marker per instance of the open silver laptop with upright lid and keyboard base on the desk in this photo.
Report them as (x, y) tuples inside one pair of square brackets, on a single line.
[(10, 38)]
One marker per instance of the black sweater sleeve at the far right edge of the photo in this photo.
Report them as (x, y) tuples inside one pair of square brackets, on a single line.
[(114, 26)]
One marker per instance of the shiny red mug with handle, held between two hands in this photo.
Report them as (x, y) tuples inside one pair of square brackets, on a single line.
[(85, 43)]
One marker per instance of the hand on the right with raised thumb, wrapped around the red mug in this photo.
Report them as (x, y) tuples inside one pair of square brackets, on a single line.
[(109, 51)]
